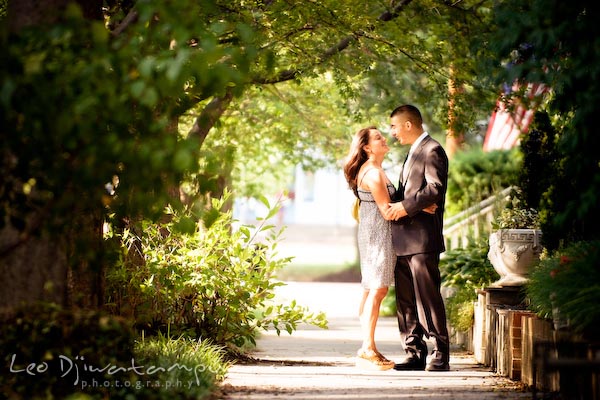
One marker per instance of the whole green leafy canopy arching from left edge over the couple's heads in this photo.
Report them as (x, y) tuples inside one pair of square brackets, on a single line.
[(90, 103)]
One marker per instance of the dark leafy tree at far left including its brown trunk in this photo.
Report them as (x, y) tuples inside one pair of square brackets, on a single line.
[(90, 128)]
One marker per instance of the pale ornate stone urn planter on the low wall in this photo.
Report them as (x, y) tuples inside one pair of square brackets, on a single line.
[(512, 253)]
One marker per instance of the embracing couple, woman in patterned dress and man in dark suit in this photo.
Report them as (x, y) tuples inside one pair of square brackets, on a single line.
[(400, 240)]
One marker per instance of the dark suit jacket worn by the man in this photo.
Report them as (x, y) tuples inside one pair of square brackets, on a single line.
[(425, 184)]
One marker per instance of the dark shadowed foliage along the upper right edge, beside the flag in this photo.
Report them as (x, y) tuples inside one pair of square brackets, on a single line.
[(558, 45)]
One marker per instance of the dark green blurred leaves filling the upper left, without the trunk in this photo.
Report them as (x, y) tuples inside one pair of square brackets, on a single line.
[(81, 109)]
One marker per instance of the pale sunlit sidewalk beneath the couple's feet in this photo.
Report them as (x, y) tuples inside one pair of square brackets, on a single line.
[(318, 364)]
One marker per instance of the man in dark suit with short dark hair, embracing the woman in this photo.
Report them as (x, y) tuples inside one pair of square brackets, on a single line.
[(418, 241)]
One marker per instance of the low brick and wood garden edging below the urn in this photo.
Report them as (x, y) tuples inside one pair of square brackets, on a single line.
[(516, 343)]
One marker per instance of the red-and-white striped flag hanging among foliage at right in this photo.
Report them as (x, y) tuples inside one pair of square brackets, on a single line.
[(508, 123)]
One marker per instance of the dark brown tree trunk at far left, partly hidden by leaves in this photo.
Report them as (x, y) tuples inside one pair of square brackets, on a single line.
[(51, 265)]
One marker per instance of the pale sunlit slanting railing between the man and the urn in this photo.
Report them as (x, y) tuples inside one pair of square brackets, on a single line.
[(474, 221)]
